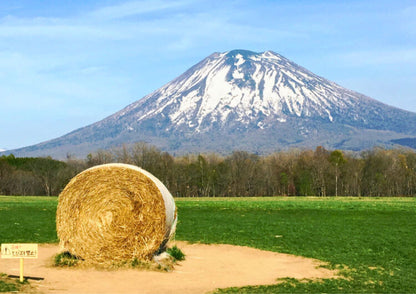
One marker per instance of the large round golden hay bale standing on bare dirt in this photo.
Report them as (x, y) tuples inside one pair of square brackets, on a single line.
[(115, 212)]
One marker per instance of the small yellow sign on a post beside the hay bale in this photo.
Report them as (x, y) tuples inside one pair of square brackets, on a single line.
[(21, 251)]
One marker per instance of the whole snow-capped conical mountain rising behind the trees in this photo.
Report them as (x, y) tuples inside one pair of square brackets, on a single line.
[(259, 102)]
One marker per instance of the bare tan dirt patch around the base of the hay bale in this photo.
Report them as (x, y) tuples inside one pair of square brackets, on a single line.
[(206, 268)]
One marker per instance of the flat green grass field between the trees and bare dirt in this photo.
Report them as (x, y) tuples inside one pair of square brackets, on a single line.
[(372, 240)]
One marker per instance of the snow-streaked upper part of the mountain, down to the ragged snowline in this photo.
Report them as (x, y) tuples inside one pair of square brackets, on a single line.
[(246, 84)]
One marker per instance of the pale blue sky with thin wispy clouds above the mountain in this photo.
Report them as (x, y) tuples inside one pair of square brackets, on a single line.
[(66, 64)]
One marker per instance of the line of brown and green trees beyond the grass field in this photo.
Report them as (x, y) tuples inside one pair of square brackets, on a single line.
[(320, 172)]
